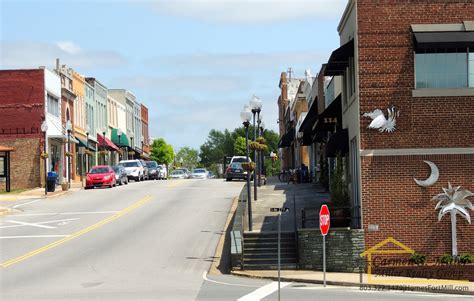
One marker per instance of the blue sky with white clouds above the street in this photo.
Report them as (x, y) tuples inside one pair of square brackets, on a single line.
[(193, 63)]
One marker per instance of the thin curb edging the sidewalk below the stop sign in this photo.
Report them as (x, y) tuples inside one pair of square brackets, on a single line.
[(352, 284)]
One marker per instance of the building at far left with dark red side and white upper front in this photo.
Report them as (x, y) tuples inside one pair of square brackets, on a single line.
[(27, 99)]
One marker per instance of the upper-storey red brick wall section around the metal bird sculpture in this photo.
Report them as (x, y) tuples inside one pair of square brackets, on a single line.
[(386, 76)]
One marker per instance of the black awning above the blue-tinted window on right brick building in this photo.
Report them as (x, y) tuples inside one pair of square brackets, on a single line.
[(448, 39)]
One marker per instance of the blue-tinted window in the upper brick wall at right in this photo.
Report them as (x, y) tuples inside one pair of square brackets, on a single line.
[(444, 68)]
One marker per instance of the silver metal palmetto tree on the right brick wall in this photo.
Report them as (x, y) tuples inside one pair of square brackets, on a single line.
[(454, 201)]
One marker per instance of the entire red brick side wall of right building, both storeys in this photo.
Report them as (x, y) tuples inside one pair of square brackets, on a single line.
[(390, 197)]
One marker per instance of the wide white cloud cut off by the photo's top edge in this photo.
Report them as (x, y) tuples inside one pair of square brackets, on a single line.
[(250, 11)]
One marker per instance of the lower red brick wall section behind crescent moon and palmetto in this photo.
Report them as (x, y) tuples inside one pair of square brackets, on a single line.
[(405, 211)]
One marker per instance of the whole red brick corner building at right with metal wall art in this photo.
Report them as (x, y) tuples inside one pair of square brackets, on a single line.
[(418, 58)]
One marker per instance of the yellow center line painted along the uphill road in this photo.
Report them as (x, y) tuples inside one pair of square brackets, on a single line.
[(79, 233)]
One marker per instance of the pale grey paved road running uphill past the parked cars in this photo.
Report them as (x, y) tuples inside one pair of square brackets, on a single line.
[(145, 241)]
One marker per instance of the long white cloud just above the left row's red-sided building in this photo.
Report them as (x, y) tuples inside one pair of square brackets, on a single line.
[(34, 54)]
